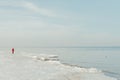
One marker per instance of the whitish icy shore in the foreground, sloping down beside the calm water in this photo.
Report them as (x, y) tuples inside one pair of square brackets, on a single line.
[(44, 67)]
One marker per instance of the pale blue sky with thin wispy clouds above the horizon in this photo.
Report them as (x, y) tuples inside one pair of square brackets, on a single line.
[(59, 23)]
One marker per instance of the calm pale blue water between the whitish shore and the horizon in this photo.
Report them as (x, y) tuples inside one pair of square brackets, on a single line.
[(105, 59)]
